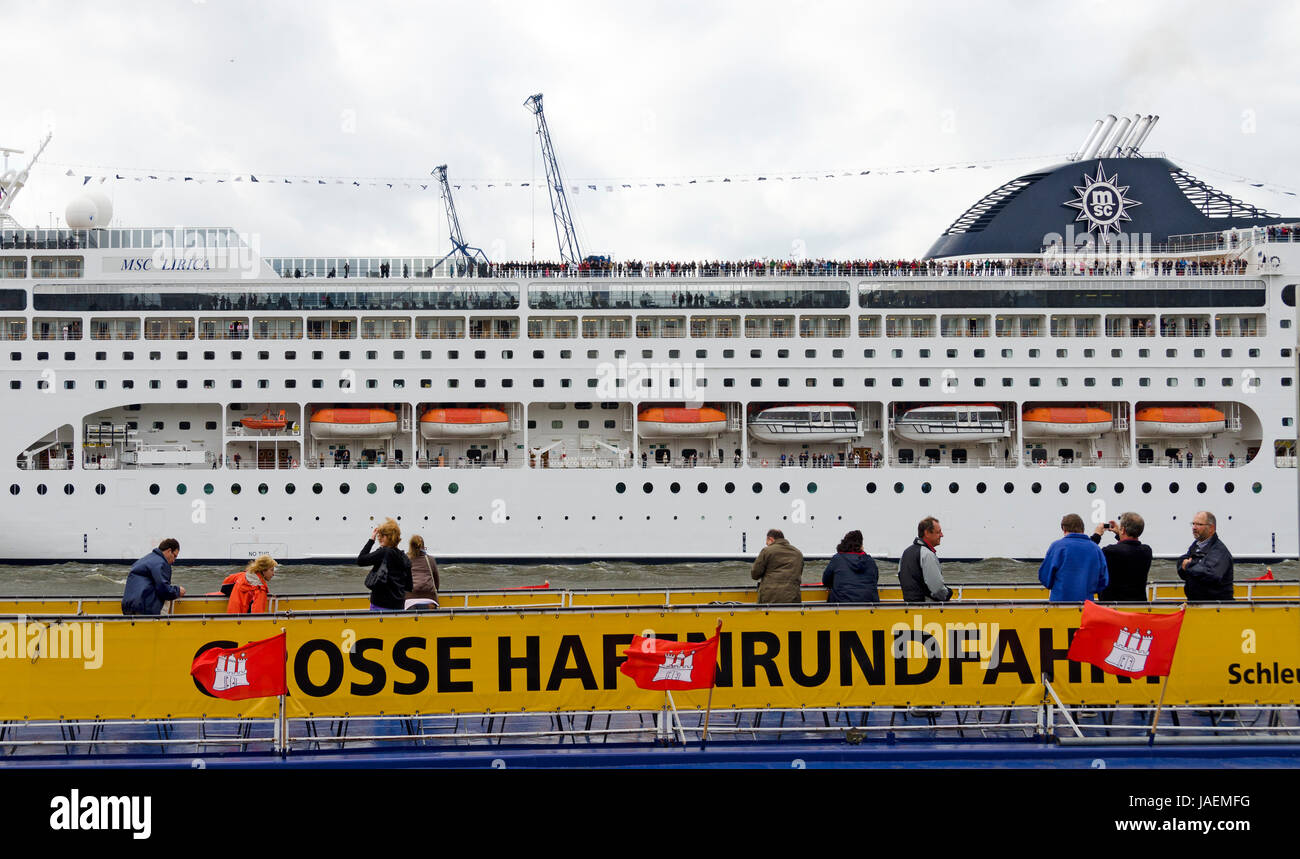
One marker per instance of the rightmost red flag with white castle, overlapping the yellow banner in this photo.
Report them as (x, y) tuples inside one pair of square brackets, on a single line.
[(1128, 644)]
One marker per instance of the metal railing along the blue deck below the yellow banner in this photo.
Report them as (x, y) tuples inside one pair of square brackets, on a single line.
[(1081, 724)]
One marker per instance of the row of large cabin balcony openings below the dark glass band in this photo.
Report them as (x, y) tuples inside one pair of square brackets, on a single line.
[(240, 328)]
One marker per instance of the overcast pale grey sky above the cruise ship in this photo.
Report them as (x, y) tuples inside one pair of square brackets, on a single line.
[(634, 94)]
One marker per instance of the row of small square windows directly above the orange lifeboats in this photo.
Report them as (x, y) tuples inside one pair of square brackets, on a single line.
[(1249, 381)]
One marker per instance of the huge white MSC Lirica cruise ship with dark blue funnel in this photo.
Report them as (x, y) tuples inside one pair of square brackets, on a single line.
[(1106, 335)]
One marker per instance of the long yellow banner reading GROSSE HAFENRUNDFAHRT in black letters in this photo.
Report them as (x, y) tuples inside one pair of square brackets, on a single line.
[(567, 661)]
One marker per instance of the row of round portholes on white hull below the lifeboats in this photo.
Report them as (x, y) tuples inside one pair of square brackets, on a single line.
[(703, 488)]
